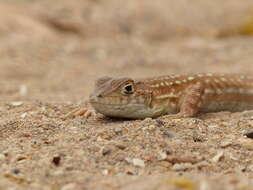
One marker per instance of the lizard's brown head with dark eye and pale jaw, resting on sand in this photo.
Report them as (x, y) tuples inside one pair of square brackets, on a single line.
[(120, 97)]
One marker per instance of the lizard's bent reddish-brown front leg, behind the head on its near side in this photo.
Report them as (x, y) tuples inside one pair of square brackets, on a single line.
[(190, 101)]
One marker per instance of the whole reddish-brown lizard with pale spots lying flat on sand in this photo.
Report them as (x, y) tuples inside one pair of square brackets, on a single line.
[(178, 96)]
